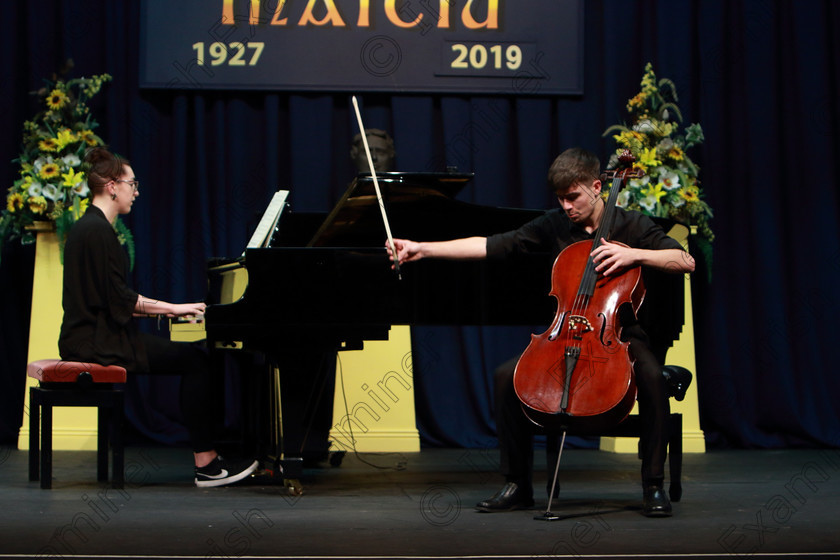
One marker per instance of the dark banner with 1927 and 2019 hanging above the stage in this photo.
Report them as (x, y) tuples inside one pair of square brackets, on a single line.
[(520, 47)]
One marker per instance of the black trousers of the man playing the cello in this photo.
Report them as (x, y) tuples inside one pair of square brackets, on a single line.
[(516, 431)]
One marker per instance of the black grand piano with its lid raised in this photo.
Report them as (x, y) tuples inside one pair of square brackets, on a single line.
[(324, 284)]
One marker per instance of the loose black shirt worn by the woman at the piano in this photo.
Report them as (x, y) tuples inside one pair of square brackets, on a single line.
[(98, 304)]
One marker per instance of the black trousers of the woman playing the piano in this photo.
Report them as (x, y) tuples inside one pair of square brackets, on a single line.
[(192, 363)]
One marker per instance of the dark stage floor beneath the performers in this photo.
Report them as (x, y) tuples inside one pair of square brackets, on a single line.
[(762, 504)]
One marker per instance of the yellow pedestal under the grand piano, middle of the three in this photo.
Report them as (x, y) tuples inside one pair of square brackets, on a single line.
[(373, 408)]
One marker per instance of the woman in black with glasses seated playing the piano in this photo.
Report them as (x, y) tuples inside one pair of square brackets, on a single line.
[(99, 306)]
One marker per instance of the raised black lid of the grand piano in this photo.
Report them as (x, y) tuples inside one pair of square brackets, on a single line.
[(420, 206)]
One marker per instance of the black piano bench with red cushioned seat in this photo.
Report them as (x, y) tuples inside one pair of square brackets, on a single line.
[(64, 383)]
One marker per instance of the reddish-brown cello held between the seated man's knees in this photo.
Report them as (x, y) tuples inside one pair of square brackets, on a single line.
[(578, 375)]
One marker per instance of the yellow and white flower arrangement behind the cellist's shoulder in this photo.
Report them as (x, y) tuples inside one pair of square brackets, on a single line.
[(670, 187)]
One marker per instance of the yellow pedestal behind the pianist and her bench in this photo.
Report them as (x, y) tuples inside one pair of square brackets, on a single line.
[(74, 428)]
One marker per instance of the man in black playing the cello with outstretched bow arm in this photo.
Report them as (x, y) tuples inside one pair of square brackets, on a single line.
[(574, 178)]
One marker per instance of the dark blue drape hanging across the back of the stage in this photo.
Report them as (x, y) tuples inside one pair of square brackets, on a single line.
[(760, 76)]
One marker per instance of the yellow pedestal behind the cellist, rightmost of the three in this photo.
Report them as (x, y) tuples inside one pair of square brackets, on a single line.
[(680, 354)]
